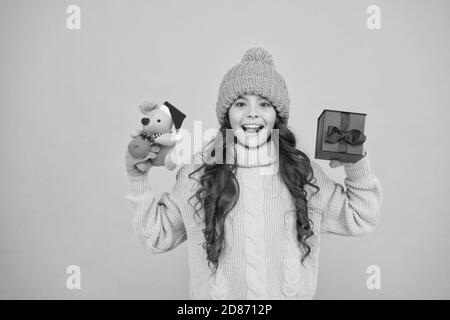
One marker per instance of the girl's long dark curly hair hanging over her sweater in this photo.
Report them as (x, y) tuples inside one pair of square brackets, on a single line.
[(218, 189)]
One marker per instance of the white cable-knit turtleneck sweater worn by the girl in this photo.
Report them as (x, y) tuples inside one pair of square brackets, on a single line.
[(262, 256)]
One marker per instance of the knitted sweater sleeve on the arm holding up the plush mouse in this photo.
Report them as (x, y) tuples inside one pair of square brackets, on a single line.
[(158, 224)]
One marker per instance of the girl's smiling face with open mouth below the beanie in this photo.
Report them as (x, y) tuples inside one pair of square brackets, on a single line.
[(252, 118)]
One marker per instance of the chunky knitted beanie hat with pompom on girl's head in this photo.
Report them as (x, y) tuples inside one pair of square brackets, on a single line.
[(255, 74)]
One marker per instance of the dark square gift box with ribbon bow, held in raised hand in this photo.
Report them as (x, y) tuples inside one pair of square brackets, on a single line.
[(340, 136)]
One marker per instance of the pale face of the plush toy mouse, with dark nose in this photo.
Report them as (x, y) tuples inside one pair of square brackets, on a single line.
[(156, 120)]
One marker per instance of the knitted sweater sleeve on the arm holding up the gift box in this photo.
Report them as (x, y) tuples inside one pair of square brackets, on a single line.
[(353, 211)]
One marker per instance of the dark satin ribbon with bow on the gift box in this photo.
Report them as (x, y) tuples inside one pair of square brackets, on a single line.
[(343, 136)]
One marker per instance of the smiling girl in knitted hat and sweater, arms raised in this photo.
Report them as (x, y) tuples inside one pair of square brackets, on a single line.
[(253, 207)]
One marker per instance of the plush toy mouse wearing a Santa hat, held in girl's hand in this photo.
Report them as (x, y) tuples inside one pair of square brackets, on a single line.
[(157, 129)]
